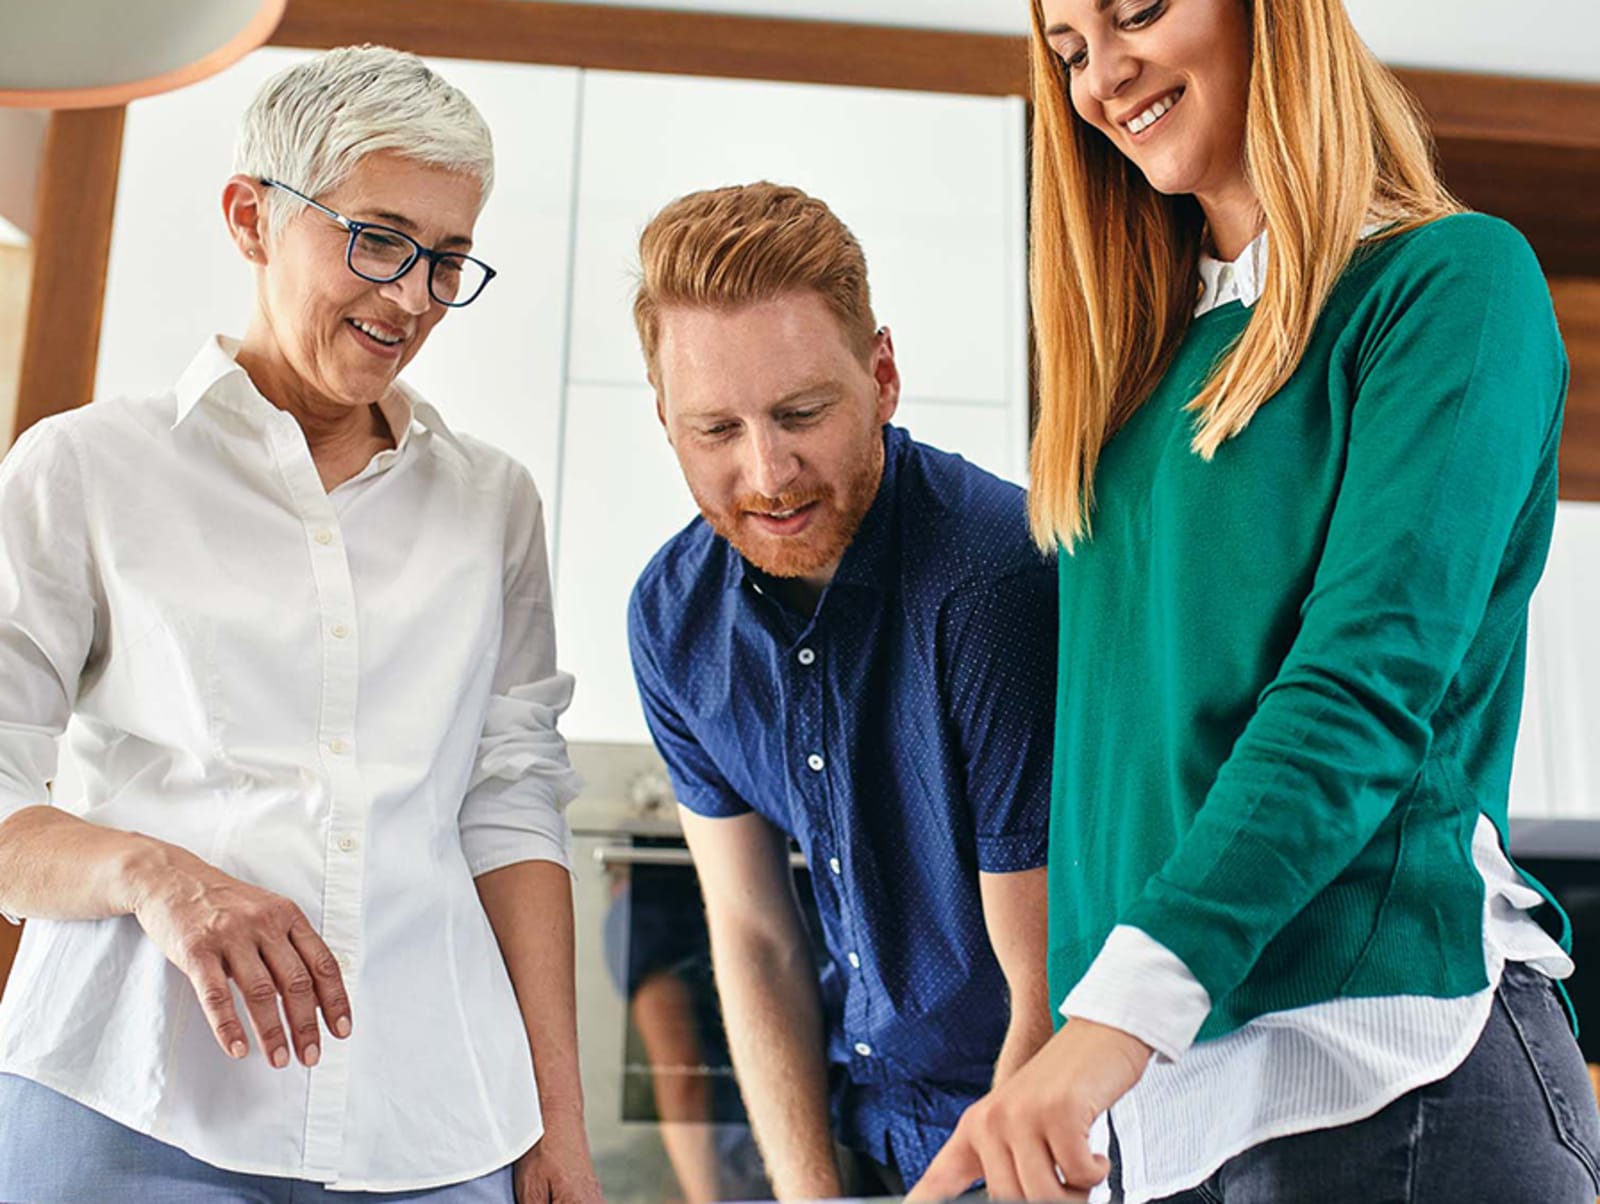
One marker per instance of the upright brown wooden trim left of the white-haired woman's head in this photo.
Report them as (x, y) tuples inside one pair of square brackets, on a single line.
[(78, 198)]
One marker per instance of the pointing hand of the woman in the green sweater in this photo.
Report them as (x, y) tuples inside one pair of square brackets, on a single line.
[(1039, 1120)]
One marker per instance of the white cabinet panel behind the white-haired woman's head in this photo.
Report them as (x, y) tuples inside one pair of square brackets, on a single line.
[(494, 369)]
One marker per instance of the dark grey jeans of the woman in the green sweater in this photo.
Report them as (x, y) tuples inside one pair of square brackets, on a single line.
[(1514, 1125)]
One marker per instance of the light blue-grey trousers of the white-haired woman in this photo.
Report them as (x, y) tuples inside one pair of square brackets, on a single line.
[(54, 1150)]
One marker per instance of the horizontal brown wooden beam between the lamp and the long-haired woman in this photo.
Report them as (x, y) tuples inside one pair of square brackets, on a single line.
[(673, 42)]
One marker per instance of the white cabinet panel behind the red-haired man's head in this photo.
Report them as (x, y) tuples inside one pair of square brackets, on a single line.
[(930, 185)]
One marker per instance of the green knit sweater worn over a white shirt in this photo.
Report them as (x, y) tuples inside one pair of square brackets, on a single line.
[(1290, 678)]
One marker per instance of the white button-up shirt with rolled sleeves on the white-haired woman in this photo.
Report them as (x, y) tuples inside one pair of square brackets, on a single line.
[(348, 699)]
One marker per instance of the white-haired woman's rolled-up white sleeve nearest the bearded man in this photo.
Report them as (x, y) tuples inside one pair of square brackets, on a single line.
[(516, 806)]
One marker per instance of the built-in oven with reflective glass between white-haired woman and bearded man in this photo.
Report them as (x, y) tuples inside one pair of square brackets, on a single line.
[(665, 1115)]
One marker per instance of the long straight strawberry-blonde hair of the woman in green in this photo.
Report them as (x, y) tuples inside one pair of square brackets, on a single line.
[(1332, 143)]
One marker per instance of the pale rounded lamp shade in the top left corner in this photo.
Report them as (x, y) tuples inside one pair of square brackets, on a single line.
[(100, 54)]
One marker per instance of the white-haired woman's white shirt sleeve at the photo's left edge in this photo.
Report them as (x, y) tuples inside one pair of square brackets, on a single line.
[(47, 609)]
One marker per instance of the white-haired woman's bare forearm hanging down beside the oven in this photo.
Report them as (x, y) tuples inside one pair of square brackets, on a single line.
[(530, 907)]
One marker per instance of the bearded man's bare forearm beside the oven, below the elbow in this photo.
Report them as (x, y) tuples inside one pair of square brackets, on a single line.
[(775, 1032)]
